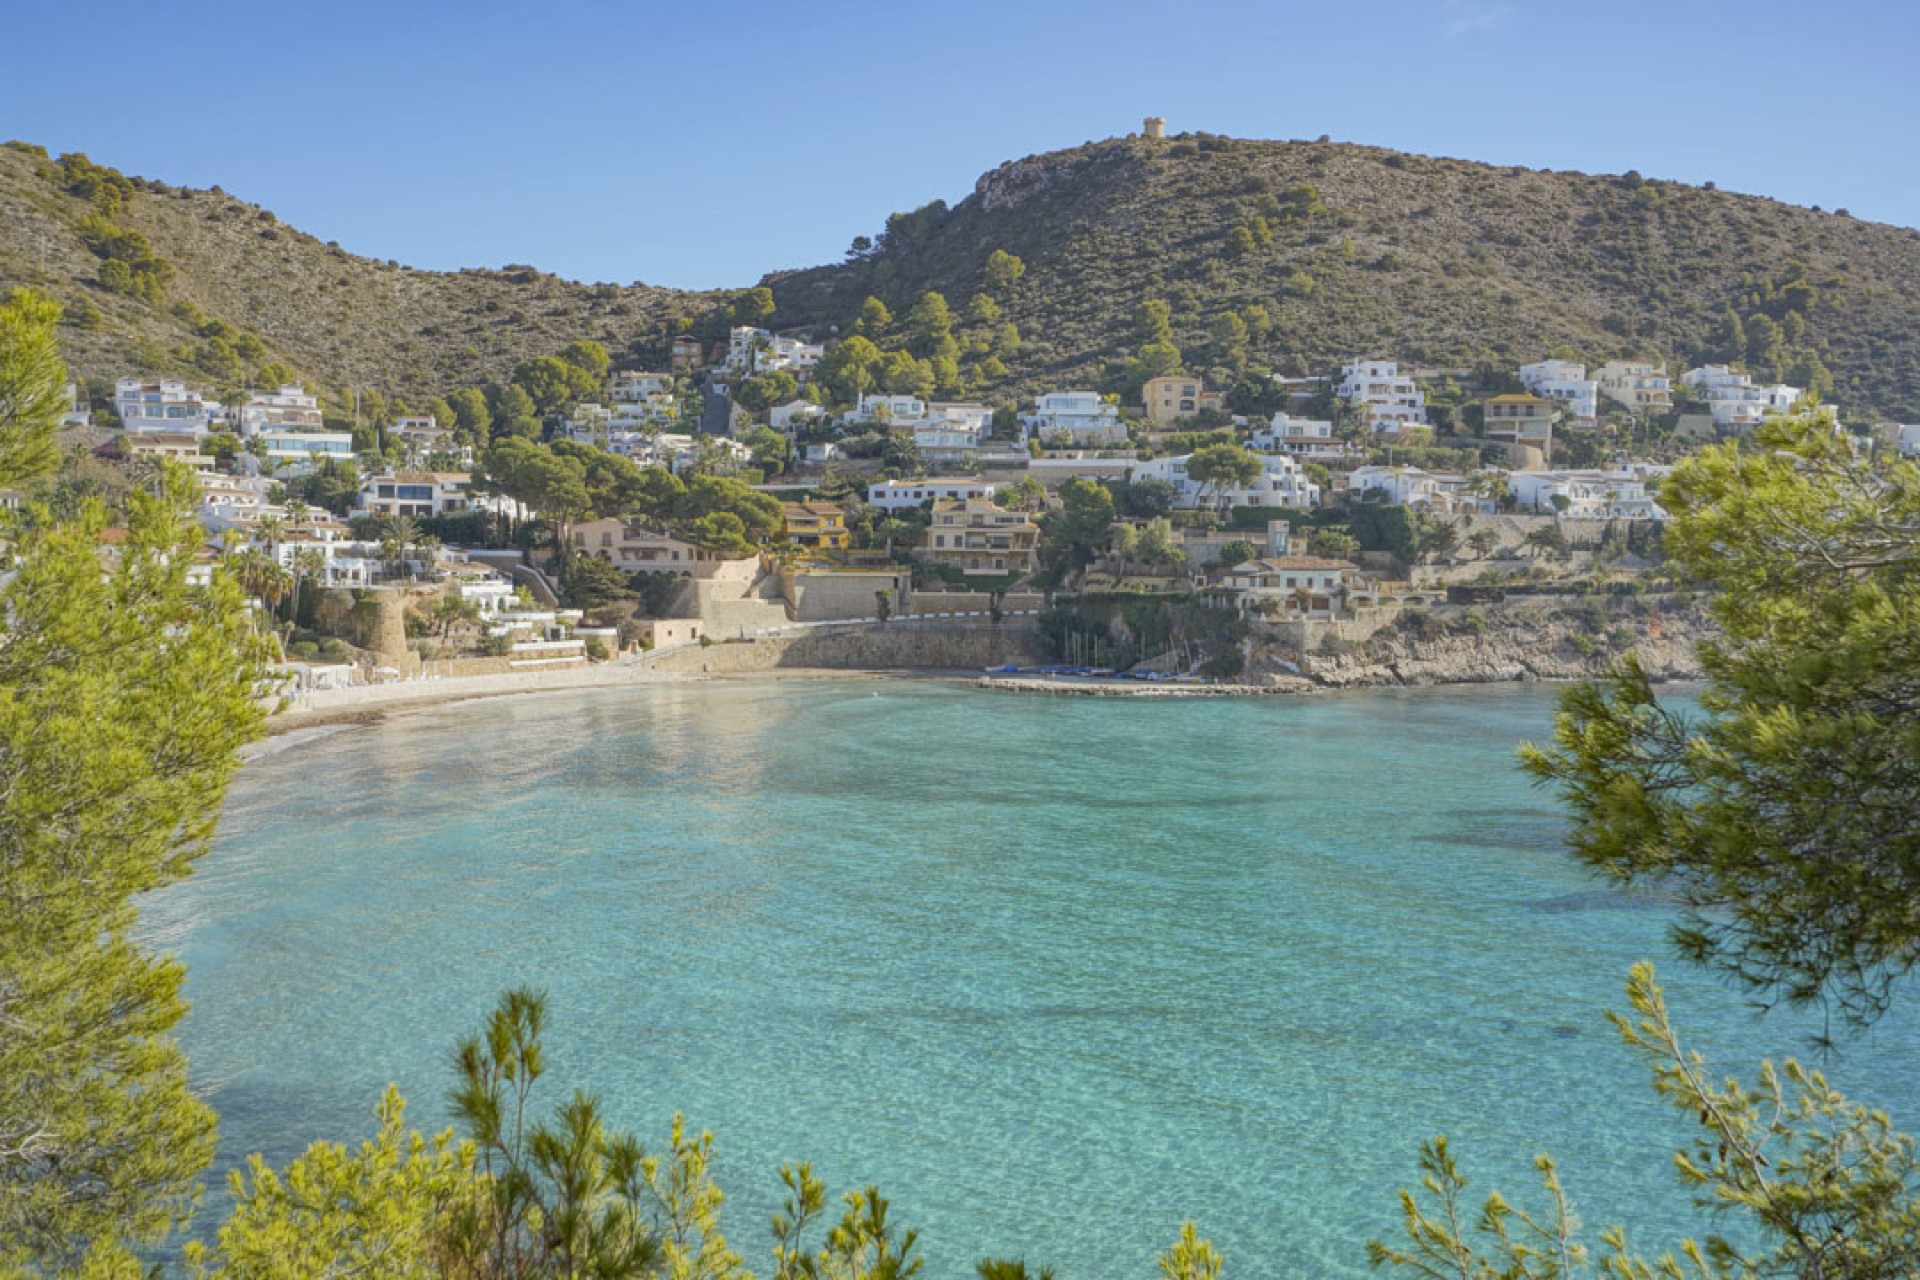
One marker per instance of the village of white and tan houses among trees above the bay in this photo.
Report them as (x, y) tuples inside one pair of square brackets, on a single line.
[(750, 492)]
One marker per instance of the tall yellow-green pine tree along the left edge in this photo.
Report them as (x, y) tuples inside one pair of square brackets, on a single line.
[(124, 701)]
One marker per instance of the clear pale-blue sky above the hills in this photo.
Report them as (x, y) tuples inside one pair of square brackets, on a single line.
[(702, 145)]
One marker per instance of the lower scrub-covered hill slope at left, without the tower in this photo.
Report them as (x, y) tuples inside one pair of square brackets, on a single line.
[(314, 308)]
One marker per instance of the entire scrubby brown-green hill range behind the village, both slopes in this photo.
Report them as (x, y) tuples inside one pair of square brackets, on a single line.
[(1330, 250)]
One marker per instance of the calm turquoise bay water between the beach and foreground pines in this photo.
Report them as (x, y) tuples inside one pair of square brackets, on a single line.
[(1053, 972)]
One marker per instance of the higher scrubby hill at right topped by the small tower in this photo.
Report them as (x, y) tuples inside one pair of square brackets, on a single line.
[(1370, 252)]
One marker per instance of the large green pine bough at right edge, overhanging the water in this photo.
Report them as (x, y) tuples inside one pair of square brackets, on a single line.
[(1788, 818)]
